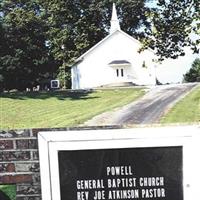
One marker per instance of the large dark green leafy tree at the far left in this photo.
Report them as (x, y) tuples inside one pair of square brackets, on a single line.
[(25, 60)]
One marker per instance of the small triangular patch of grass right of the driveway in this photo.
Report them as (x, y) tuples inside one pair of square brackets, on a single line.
[(187, 110)]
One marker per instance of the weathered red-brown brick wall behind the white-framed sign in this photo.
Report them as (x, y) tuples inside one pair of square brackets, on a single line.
[(19, 160)]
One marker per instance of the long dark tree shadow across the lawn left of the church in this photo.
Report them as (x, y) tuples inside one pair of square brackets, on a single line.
[(61, 95)]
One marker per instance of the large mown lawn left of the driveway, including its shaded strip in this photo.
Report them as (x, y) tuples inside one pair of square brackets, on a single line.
[(59, 108)]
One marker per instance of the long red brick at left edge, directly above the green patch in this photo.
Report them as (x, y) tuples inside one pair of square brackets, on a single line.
[(9, 179)]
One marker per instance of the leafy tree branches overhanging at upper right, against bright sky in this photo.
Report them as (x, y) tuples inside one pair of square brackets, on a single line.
[(172, 23)]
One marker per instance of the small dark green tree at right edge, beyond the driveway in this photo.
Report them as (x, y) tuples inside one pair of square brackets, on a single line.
[(193, 74)]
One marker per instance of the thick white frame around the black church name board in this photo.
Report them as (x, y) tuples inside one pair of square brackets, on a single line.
[(185, 136)]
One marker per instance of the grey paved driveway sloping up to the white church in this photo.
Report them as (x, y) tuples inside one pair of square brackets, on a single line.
[(147, 110)]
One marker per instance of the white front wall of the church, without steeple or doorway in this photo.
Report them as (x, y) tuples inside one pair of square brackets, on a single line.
[(94, 69)]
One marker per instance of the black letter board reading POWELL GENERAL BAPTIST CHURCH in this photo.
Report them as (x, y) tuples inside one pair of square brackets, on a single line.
[(122, 173)]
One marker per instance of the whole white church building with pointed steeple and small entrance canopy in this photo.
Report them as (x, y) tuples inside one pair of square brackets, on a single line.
[(114, 60)]
